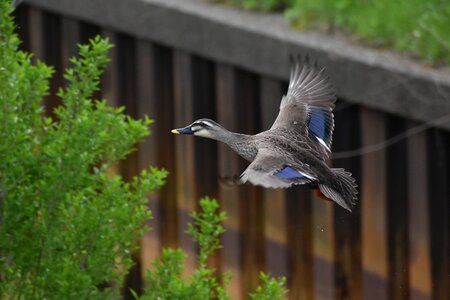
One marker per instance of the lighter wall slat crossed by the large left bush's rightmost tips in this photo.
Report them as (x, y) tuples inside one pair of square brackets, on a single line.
[(150, 243)]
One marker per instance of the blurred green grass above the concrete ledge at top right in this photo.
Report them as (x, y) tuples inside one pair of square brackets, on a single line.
[(418, 27)]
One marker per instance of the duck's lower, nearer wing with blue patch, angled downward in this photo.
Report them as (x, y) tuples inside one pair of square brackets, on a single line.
[(270, 170)]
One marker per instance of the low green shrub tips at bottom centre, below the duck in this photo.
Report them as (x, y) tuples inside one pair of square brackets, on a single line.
[(166, 282)]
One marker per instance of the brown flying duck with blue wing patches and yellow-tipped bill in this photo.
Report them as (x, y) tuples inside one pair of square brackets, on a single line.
[(294, 150)]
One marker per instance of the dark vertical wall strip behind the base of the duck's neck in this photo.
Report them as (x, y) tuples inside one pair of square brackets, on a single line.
[(251, 209)]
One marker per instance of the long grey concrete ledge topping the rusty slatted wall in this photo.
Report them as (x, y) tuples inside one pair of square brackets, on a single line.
[(263, 43)]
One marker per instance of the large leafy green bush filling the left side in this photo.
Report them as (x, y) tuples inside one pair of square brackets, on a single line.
[(67, 226)]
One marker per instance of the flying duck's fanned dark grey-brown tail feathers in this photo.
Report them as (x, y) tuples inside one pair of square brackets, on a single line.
[(343, 191)]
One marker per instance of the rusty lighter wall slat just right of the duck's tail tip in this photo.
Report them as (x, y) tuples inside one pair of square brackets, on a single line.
[(373, 208)]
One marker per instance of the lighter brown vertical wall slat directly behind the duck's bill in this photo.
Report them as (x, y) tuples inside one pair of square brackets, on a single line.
[(184, 152)]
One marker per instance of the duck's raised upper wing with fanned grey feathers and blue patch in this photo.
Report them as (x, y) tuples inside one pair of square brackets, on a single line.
[(308, 105)]
